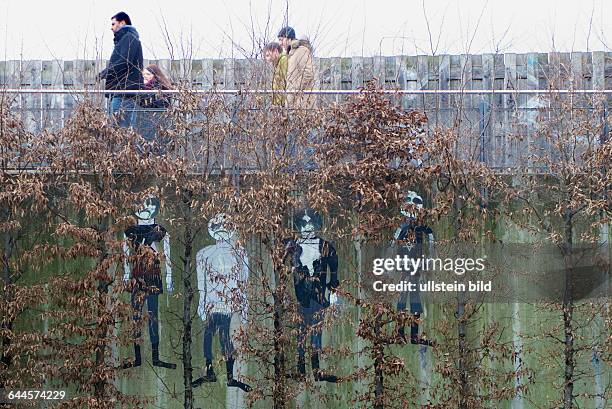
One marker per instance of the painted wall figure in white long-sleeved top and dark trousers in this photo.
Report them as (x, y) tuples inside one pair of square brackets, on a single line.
[(222, 270)]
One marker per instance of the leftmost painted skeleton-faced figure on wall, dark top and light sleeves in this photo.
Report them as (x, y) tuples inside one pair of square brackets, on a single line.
[(142, 271)]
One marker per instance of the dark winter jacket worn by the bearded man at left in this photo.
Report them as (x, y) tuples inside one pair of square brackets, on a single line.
[(124, 70)]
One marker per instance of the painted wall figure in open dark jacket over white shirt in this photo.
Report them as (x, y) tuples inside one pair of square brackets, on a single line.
[(311, 258)]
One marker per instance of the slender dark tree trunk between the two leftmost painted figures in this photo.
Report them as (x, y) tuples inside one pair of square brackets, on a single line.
[(187, 300)]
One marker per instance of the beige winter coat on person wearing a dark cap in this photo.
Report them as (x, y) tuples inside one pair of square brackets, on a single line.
[(300, 74)]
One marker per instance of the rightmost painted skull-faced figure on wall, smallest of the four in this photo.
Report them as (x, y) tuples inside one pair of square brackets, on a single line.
[(411, 237)]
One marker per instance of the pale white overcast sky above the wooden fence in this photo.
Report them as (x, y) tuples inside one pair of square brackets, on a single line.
[(68, 29)]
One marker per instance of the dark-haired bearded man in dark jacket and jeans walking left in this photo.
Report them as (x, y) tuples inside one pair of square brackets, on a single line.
[(124, 70)]
